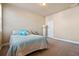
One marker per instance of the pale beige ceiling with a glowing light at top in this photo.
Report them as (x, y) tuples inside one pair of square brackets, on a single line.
[(50, 8)]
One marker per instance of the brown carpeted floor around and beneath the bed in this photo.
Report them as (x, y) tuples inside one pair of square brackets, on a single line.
[(55, 48)]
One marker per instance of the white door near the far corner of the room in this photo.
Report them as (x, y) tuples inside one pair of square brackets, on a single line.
[(49, 22)]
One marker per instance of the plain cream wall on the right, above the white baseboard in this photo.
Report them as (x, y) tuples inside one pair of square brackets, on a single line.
[(66, 24)]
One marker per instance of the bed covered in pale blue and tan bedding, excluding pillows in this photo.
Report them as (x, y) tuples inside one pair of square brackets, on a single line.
[(21, 45)]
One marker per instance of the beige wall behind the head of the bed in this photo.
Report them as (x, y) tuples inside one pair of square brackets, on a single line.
[(15, 18)]
